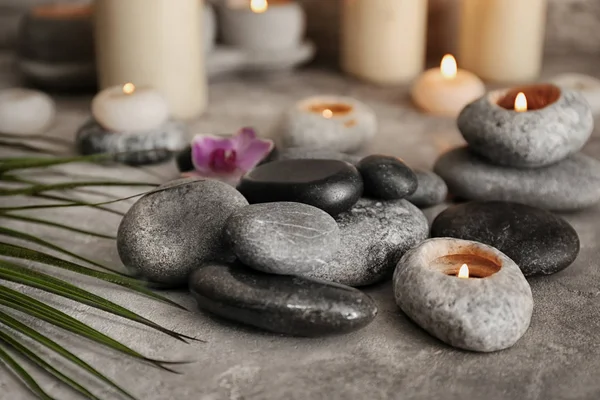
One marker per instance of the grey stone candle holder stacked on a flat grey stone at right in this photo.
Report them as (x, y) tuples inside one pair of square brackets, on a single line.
[(527, 139)]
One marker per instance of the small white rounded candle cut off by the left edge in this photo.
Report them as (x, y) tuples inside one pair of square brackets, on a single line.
[(25, 112)]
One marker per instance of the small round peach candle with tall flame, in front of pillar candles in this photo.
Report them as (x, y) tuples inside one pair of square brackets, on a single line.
[(446, 90)]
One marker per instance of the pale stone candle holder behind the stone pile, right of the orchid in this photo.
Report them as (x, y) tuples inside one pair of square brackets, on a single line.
[(328, 122)]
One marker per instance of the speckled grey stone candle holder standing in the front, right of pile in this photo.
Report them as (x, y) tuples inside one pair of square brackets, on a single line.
[(479, 314)]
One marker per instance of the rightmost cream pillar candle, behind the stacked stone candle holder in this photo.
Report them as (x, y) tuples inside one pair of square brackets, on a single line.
[(502, 40)]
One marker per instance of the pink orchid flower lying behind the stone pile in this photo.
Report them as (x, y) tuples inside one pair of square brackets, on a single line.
[(228, 159)]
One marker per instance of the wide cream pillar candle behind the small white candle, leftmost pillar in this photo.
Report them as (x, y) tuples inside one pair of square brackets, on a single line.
[(157, 44)]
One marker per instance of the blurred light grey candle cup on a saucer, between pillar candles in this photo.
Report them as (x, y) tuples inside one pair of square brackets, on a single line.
[(270, 25)]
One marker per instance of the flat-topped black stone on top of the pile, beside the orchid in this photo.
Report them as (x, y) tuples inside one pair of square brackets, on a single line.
[(331, 185)]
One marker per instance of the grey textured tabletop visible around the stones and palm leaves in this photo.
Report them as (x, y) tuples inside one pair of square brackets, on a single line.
[(558, 358)]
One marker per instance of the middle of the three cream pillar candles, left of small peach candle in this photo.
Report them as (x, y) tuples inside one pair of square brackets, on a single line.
[(383, 41)]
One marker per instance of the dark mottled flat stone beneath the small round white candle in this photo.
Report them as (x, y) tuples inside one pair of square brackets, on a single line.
[(138, 147)]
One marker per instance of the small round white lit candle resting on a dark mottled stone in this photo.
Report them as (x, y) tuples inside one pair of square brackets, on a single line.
[(129, 109)]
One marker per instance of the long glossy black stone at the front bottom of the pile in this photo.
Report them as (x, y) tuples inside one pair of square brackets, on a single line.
[(283, 304)]
